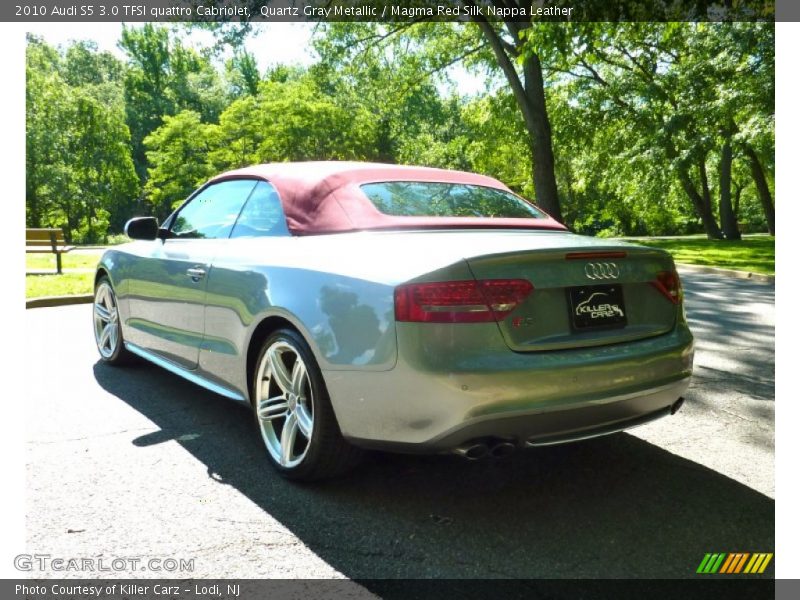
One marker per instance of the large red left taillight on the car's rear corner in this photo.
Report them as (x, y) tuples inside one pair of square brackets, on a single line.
[(459, 301)]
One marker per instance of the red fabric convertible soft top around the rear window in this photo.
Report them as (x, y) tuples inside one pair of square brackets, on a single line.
[(325, 197)]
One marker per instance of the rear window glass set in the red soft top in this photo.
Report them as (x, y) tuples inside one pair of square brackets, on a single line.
[(432, 199)]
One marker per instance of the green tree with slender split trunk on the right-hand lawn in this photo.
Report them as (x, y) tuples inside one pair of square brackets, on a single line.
[(674, 92)]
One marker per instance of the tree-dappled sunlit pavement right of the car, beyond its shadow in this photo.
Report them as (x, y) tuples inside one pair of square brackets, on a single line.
[(728, 422)]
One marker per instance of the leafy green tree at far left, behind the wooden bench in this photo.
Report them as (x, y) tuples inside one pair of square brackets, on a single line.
[(78, 163)]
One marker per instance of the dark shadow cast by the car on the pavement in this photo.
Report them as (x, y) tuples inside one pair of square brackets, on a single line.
[(611, 507)]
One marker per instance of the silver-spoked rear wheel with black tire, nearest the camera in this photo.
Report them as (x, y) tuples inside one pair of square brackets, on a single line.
[(324, 453)]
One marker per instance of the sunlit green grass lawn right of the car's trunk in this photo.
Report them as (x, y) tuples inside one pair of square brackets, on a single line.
[(754, 254)]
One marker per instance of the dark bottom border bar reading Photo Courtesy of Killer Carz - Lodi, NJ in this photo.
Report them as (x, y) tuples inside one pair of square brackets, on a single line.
[(731, 587)]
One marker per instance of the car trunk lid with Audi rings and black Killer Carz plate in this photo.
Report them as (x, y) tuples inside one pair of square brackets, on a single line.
[(584, 295)]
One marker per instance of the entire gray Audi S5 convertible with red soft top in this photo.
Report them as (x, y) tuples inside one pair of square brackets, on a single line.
[(410, 309)]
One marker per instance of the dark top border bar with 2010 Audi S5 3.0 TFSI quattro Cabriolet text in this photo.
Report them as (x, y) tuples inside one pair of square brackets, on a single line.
[(275, 11)]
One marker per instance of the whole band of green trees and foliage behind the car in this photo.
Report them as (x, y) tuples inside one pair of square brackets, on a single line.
[(654, 128)]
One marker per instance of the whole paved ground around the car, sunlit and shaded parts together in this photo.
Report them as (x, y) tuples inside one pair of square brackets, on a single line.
[(137, 463)]
